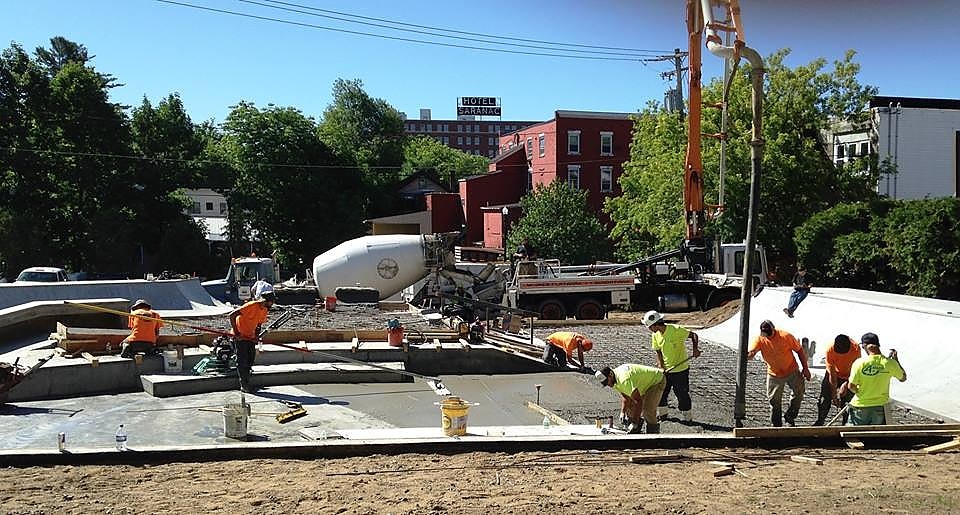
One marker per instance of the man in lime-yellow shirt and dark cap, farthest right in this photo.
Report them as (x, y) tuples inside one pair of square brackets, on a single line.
[(870, 382)]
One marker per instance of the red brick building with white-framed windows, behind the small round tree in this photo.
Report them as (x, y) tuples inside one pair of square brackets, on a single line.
[(585, 149)]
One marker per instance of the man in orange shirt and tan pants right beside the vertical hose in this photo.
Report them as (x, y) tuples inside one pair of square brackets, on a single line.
[(777, 348)]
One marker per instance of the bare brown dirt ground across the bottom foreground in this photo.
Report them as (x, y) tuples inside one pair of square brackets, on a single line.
[(563, 482)]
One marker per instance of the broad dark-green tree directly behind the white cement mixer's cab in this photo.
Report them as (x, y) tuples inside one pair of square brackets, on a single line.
[(289, 190)]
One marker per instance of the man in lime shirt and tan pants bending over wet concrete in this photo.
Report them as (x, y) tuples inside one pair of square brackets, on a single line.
[(640, 388)]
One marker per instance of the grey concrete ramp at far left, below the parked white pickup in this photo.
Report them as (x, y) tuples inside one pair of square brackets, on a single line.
[(171, 298)]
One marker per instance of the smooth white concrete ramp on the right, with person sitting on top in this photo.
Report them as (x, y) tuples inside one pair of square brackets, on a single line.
[(924, 331)]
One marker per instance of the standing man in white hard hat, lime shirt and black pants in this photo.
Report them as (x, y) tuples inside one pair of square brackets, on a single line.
[(669, 341)]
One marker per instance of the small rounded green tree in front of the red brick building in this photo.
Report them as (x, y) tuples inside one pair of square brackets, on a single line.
[(558, 224)]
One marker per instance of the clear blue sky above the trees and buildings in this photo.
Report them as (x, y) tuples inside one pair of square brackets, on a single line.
[(216, 59)]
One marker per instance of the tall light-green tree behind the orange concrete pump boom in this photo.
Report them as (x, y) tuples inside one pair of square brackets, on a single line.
[(798, 177)]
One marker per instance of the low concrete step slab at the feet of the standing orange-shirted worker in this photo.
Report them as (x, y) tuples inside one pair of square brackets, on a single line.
[(274, 375)]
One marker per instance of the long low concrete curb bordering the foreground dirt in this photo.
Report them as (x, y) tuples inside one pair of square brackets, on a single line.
[(354, 448)]
